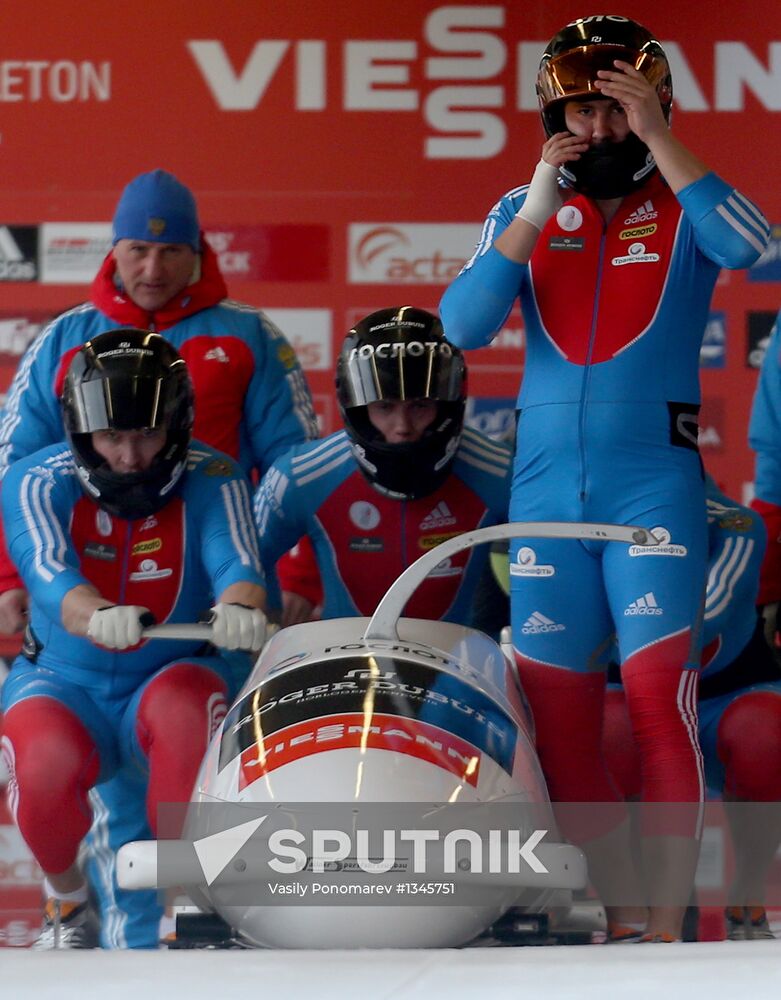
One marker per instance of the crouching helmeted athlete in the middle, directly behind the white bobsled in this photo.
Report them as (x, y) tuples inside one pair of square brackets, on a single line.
[(374, 497)]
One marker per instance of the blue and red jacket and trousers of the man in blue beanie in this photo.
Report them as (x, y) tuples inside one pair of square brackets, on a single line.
[(252, 402)]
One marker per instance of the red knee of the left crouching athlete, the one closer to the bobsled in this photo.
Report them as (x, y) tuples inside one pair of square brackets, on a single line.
[(177, 716)]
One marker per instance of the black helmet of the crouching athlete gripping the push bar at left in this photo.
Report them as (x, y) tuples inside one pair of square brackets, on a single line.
[(128, 379)]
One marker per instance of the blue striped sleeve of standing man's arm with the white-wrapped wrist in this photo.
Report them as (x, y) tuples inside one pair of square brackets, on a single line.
[(478, 301)]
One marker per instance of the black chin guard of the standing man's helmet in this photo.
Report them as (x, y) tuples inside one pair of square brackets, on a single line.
[(610, 169)]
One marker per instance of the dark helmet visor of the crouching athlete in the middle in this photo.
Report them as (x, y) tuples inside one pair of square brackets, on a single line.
[(402, 370)]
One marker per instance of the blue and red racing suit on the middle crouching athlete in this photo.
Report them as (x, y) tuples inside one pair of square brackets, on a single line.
[(363, 539)]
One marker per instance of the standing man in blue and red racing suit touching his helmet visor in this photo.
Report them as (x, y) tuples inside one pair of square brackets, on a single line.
[(614, 281)]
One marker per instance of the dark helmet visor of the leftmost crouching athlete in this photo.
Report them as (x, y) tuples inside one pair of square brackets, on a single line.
[(128, 403)]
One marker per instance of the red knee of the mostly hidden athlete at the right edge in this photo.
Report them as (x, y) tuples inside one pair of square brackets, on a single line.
[(748, 743)]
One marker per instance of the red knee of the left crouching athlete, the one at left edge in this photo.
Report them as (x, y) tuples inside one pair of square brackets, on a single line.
[(53, 763)]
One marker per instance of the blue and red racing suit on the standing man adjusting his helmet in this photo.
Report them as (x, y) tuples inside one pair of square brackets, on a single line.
[(614, 315)]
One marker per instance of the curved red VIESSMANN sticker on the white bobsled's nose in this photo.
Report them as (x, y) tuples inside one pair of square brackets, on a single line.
[(339, 732)]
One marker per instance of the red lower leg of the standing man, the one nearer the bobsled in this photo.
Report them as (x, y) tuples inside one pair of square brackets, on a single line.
[(568, 709)]
